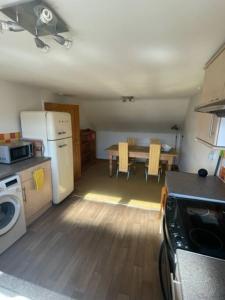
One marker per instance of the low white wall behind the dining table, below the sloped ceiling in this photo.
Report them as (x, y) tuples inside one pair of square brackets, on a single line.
[(108, 138)]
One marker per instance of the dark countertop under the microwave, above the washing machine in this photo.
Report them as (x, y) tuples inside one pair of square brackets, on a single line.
[(8, 170)]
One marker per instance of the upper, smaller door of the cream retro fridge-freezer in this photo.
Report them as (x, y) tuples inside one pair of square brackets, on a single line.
[(58, 125)]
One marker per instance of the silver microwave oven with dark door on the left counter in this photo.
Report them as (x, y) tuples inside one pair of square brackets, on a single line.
[(15, 151)]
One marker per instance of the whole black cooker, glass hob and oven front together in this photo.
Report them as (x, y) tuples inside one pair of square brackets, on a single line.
[(192, 225)]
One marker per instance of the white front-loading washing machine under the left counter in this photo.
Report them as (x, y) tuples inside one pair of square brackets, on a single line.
[(12, 218)]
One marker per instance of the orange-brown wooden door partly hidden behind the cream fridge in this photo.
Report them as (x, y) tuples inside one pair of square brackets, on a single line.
[(75, 119)]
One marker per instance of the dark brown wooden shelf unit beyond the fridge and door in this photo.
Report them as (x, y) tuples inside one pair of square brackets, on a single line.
[(88, 147)]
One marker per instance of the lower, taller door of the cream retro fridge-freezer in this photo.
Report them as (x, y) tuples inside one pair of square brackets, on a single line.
[(61, 152)]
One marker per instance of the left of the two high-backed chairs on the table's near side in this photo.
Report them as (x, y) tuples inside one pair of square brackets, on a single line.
[(123, 164)]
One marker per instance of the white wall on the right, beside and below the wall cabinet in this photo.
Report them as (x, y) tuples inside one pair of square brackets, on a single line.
[(195, 155)]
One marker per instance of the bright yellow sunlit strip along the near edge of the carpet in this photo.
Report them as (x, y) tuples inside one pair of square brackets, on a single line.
[(137, 203)]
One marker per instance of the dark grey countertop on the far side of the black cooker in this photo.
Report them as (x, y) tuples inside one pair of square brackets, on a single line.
[(188, 185)]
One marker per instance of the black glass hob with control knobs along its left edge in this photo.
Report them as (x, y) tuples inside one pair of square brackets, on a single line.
[(197, 226)]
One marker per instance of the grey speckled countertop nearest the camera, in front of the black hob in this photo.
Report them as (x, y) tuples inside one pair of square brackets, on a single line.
[(201, 277)]
